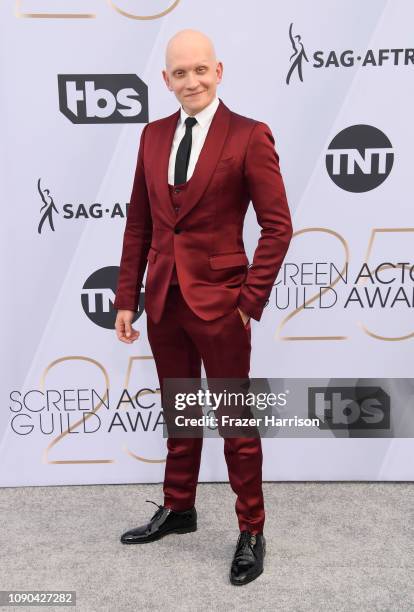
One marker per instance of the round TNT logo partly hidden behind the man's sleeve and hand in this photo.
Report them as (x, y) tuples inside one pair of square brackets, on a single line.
[(98, 296)]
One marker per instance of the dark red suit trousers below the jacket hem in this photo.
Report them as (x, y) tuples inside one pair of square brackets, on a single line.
[(179, 342)]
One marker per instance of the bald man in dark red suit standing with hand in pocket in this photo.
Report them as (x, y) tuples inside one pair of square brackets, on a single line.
[(196, 173)]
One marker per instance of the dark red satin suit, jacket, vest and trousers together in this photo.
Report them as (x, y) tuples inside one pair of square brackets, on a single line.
[(194, 233)]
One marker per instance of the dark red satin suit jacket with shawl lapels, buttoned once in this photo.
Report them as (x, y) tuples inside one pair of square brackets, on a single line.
[(237, 164)]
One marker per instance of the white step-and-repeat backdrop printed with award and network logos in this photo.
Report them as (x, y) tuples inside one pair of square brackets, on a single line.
[(335, 82)]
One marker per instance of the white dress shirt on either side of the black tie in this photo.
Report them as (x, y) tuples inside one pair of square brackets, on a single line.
[(199, 133)]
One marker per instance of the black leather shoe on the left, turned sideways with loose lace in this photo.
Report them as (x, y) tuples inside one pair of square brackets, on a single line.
[(163, 522)]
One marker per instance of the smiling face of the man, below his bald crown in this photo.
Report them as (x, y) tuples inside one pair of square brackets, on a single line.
[(193, 77)]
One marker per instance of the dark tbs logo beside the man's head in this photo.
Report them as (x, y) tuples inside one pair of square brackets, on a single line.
[(103, 98)]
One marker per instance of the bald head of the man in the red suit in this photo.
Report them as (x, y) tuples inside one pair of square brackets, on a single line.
[(192, 71)]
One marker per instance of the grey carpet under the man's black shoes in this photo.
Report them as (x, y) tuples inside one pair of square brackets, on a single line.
[(338, 546)]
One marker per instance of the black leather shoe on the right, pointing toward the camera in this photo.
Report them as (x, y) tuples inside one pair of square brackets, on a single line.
[(248, 558)]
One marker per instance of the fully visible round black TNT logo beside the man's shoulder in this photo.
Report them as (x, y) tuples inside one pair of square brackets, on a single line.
[(359, 158)]
